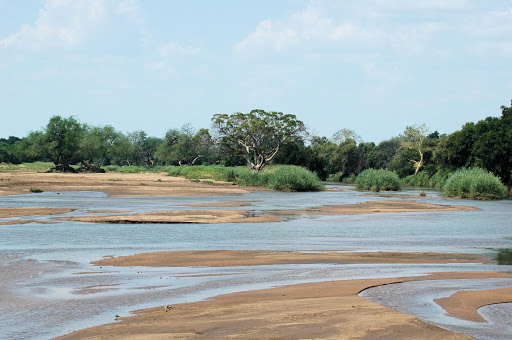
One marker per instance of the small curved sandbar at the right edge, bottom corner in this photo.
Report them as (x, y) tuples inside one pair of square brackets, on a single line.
[(465, 304)]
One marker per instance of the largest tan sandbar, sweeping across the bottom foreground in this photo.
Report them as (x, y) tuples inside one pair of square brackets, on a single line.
[(326, 310)]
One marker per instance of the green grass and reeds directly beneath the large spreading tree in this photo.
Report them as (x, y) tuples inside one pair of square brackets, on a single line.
[(276, 177)]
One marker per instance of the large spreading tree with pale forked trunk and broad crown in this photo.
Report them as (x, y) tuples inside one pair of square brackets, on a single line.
[(259, 135)]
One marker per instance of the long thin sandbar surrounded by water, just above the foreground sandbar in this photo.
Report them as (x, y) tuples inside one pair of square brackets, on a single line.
[(229, 258)]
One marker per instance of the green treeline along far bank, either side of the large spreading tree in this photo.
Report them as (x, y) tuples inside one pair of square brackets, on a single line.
[(417, 156)]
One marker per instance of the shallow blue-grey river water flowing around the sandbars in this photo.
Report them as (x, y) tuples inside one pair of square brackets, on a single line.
[(48, 287)]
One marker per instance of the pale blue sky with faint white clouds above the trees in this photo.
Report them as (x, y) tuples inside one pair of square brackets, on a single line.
[(372, 66)]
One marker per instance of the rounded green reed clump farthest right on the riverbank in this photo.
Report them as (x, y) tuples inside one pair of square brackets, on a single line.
[(474, 183)]
